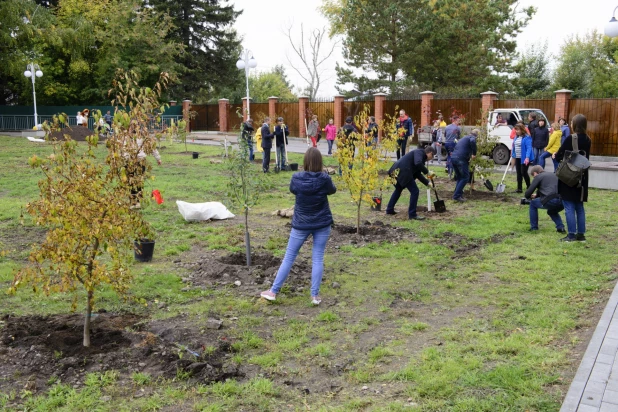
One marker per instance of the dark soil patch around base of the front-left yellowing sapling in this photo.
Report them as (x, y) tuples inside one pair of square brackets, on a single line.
[(34, 348)]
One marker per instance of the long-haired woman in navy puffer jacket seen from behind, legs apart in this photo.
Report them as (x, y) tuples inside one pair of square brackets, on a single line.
[(312, 216)]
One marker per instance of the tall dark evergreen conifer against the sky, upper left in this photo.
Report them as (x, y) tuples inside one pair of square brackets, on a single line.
[(211, 45)]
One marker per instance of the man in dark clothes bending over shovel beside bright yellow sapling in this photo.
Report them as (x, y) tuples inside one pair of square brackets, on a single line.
[(411, 167)]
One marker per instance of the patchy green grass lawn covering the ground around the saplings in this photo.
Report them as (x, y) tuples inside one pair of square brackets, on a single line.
[(465, 311)]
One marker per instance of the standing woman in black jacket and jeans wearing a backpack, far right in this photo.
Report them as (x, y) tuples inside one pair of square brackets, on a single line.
[(573, 197)]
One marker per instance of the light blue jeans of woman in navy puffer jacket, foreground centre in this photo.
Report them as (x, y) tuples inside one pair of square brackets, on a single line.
[(297, 238)]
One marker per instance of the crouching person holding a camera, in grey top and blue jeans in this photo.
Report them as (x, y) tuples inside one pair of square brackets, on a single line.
[(546, 197)]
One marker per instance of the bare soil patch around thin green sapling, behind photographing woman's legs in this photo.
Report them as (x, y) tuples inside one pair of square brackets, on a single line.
[(226, 271)]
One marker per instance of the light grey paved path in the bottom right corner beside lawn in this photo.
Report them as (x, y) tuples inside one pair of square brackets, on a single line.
[(595, 386)]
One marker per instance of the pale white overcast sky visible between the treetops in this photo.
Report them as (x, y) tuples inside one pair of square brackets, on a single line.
[(263, 28)]
